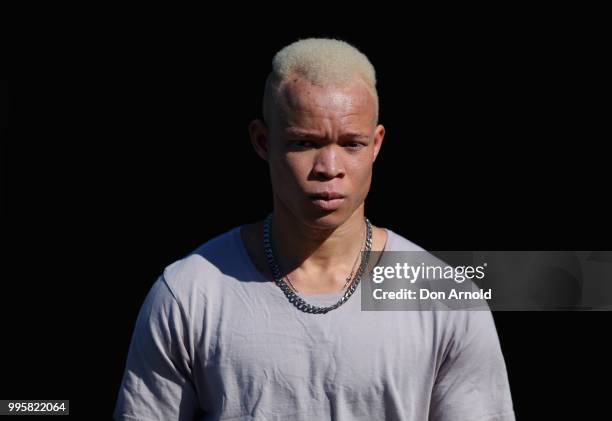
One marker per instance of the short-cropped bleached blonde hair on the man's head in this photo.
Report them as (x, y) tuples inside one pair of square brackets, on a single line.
[(321, 61)]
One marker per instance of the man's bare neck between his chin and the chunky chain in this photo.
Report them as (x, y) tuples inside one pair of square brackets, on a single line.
[(314, 249)]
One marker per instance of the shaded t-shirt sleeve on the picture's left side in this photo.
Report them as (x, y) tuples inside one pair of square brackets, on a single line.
[(157, 381)]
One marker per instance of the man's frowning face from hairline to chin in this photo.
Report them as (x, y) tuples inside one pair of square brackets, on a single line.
[(322, 143)]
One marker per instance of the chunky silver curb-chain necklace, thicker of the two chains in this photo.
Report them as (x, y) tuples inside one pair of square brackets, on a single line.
[(294, 298)]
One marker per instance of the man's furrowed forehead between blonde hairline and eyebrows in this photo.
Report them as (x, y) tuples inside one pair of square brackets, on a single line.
[(301, 103)]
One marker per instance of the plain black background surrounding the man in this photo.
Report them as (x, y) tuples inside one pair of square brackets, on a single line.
[(127, 148)]
